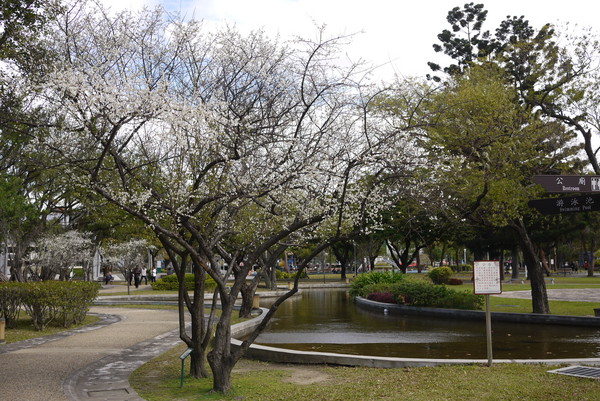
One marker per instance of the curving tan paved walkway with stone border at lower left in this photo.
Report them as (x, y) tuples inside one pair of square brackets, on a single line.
[(93, 363)]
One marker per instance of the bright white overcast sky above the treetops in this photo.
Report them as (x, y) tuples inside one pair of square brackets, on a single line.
[(394, 33)]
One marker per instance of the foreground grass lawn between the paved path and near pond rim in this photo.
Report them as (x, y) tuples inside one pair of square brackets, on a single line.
[(255, 381)]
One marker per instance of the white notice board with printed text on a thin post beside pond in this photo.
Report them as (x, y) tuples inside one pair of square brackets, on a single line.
[(486, 281)]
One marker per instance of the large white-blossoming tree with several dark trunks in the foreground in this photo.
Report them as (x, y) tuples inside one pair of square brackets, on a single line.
[(223, 144)]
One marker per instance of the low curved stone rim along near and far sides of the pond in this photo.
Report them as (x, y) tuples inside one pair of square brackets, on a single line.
[(281, 355)]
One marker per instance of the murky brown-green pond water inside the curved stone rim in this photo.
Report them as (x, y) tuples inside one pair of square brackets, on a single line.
[(329, 321)]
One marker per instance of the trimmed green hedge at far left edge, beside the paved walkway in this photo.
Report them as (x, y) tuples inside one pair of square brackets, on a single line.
[(64, 302)]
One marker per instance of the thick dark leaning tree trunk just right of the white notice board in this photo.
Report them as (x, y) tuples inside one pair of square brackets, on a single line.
[(539, 297)]
